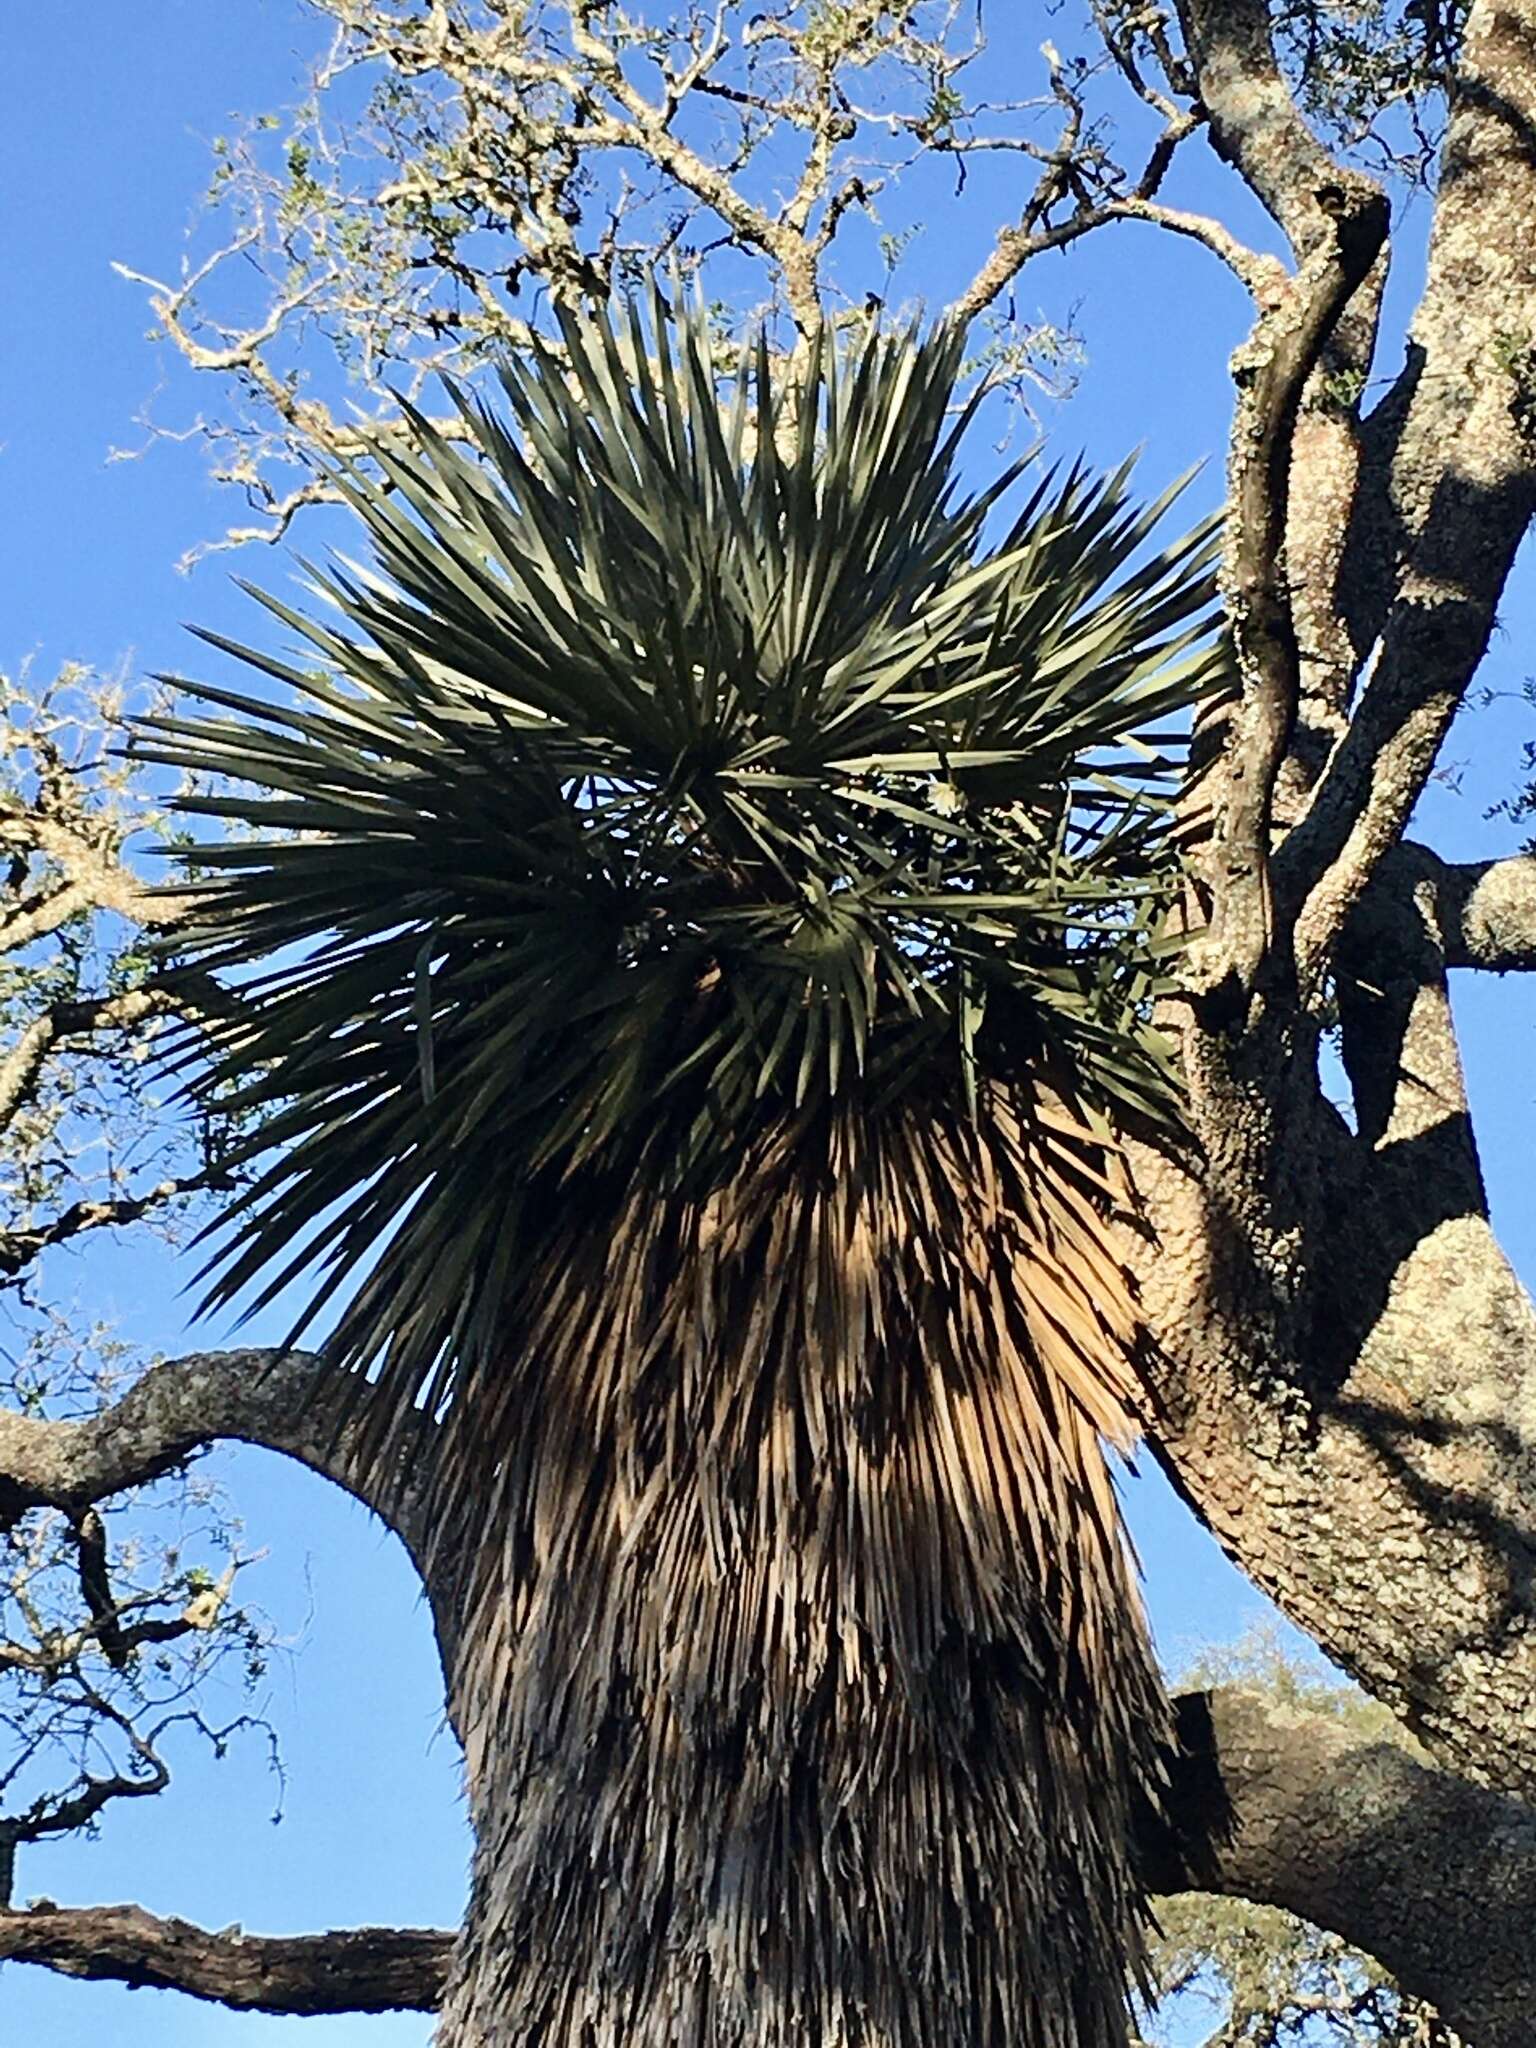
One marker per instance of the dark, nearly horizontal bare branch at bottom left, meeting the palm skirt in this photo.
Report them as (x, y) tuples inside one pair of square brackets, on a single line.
[(351, 1971)]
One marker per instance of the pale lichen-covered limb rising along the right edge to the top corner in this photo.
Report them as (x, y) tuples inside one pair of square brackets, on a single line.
[(1461, 478)]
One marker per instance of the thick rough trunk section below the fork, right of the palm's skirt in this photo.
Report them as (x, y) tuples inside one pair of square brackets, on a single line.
[(1349, 1381)]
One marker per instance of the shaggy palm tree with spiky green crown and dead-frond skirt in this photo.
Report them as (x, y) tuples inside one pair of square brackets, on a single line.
[(697, 929)]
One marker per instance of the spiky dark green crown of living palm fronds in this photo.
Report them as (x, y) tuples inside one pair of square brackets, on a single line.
[(687, 763)]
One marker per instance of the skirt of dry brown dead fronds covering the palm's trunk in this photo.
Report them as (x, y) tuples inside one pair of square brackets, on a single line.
[(804, 1684)]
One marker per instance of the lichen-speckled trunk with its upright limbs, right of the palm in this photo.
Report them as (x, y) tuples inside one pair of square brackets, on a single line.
[(1349, 1363)]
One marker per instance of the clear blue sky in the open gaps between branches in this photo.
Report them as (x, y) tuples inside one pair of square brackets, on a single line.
[(103, 153)]
